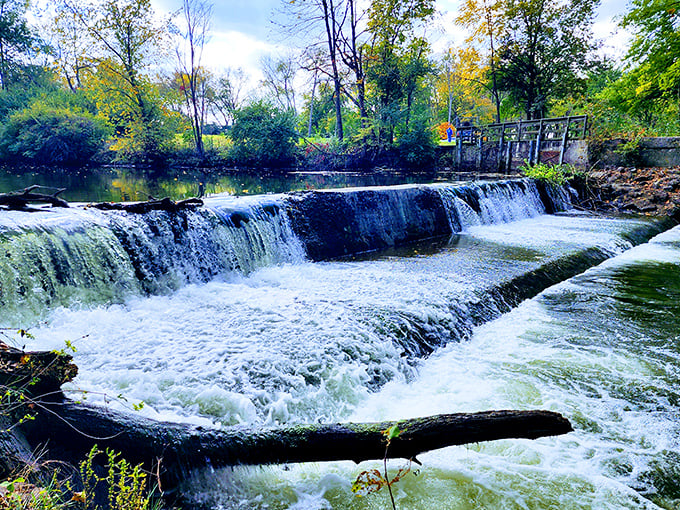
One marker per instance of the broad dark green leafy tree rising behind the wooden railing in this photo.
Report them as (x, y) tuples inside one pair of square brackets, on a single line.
[(543, 50)]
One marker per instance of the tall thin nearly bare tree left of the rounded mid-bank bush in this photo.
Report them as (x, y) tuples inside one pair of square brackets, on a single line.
[(196, 17)]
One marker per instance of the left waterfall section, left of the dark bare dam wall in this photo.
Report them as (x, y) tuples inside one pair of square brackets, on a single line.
[(63, 258)]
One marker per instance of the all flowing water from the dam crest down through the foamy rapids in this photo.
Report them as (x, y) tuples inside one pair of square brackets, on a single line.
[(450, 298)]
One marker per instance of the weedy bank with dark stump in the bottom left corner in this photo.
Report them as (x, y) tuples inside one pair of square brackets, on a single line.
[(103, 480)]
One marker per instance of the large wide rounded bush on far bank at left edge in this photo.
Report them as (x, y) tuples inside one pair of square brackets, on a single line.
[(47, 135)]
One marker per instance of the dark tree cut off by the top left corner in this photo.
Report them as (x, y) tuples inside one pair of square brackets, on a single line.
[(16, 39)]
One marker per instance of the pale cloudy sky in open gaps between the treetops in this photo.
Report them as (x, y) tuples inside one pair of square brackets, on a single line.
[(243, 31)]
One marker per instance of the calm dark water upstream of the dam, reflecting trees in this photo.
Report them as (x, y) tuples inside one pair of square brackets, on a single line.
[(129, 184)]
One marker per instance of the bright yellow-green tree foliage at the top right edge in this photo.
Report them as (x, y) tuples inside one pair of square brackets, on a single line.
[(655, 52)]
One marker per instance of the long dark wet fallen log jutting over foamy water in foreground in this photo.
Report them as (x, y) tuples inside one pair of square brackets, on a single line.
[(180, 448)]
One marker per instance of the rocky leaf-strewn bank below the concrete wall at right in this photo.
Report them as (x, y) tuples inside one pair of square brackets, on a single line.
[(650, 191)]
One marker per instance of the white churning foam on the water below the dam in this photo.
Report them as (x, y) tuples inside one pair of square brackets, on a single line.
[(321, 342)]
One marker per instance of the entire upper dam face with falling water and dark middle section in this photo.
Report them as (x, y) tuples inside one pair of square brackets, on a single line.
[(63, 258)]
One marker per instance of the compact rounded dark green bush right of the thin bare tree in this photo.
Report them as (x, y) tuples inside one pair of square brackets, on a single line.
[(263, 135)]
